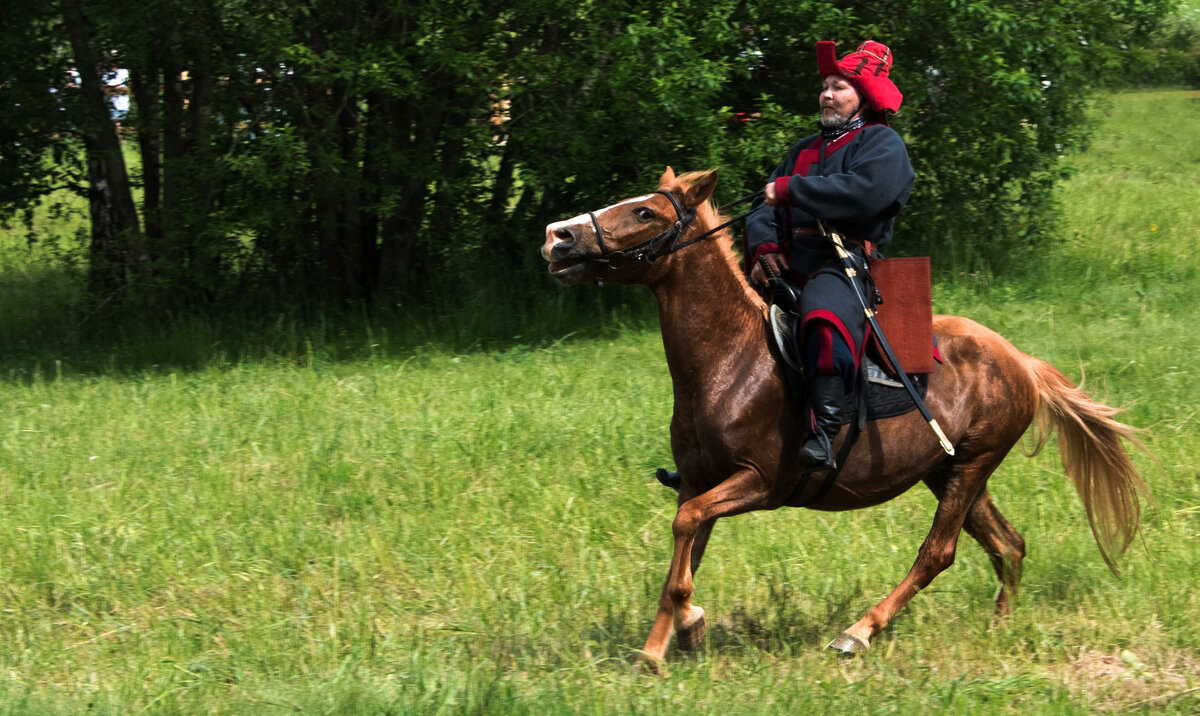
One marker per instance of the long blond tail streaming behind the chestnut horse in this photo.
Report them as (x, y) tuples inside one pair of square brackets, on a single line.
[(1094, 458)]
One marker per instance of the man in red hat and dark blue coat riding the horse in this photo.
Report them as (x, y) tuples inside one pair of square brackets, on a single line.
[(855, 177)]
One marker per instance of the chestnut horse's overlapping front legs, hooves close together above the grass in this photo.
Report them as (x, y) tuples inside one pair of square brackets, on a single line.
[(743, 492)]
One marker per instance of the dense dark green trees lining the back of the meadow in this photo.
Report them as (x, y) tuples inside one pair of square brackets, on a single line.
[(377, 151)]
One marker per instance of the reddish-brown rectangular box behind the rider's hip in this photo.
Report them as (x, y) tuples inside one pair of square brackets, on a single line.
[(907, 315)]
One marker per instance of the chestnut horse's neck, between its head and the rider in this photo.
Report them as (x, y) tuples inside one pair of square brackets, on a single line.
[(707, 312)]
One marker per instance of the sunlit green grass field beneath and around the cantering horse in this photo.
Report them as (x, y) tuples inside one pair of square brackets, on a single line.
[(334, 525)]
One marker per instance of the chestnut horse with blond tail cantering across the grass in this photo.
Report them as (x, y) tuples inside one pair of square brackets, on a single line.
[(735, 434)]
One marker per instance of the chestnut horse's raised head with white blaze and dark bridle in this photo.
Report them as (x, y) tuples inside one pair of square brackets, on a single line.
[(620, 244)]
